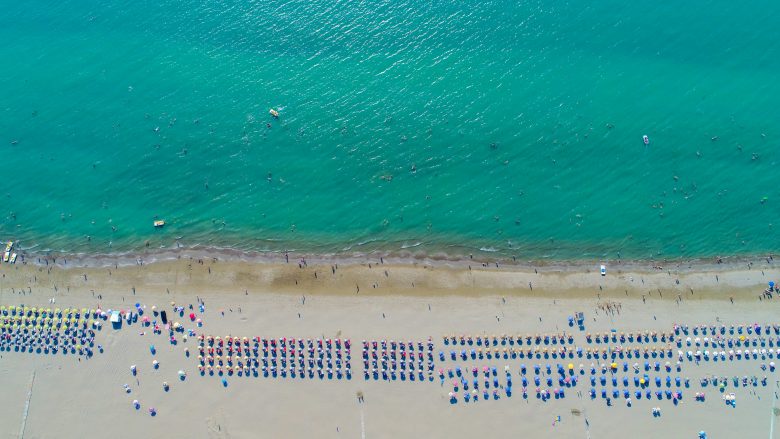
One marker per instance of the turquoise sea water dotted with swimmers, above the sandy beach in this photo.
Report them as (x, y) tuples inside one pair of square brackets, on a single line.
[(513, 127)]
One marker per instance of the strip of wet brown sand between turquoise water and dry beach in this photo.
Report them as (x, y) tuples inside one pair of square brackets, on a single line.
[(373, 275)]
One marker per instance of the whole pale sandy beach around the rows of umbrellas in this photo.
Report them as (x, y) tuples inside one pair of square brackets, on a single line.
[(56, 395)]
